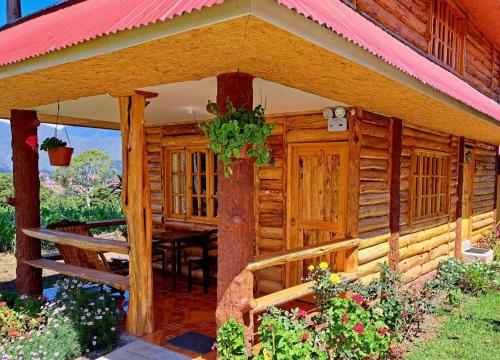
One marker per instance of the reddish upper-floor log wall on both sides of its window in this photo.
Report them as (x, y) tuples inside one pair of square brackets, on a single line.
[(409, 21)]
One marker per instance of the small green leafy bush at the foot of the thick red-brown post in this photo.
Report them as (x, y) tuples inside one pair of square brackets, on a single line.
[(230, 341)]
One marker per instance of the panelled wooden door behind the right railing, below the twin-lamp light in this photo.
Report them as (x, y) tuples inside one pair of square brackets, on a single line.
[(317, 200)]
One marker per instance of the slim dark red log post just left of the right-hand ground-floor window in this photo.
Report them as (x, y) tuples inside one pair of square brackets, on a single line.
[(395, 183)]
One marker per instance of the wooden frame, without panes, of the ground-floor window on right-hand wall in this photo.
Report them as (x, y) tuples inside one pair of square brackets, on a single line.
[(446, 177)]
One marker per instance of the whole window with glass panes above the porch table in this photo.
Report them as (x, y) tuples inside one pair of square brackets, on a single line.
[(191, 184)]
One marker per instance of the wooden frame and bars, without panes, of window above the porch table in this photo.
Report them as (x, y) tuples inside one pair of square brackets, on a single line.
[(211, 177)]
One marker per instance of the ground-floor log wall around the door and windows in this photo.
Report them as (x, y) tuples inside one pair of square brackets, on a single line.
[(421, 245)]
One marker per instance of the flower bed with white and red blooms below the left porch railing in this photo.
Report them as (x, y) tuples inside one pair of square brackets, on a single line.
[(82, 318)]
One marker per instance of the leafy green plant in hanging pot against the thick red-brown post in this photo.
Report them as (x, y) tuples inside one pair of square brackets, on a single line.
[(240, 133)]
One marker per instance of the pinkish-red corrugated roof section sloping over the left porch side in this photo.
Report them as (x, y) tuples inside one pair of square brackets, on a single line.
[(85, 21)]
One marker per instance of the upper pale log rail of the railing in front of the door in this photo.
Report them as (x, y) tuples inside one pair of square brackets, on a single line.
[(306, 252)]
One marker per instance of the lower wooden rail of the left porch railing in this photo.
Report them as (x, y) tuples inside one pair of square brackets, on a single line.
[(119, 282)]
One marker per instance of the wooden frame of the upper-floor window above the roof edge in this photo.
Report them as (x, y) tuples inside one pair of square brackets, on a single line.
[(459, 44)]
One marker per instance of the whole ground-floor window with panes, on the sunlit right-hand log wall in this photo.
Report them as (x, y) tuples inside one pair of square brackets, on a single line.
[(429, 185)]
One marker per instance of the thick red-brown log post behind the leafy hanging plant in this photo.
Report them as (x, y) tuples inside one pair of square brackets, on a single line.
[(236, 215)]
